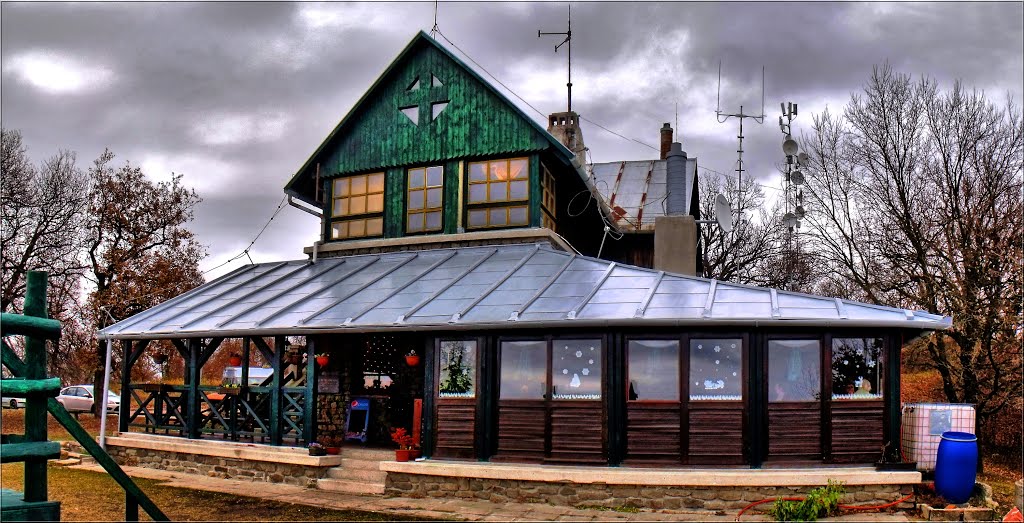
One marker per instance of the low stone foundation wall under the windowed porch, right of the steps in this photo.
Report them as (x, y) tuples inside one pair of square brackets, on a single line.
[(600, 495)]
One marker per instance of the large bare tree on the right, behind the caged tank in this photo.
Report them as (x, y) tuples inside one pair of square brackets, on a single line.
[(916, 201)]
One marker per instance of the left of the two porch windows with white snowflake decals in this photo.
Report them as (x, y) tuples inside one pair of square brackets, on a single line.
[(576, 369)]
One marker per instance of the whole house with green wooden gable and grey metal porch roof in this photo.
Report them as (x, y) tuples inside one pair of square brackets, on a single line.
[(465, 289)]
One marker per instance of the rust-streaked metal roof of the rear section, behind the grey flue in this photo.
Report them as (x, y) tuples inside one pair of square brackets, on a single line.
[(636, 191)]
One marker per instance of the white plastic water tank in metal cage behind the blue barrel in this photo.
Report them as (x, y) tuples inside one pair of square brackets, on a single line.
[(923, 427)]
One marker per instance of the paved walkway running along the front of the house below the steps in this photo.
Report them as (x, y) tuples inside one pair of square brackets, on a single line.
[(459, 510)]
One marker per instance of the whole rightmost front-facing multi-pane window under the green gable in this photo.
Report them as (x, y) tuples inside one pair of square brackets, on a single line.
[(499, 193)]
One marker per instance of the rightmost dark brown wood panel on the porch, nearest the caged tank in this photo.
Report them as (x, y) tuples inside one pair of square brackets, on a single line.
[(858, 431)]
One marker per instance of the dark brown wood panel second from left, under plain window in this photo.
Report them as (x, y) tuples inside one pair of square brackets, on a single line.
[(521, 431)]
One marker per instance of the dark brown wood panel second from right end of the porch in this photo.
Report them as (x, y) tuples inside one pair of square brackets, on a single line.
[(795, 431)]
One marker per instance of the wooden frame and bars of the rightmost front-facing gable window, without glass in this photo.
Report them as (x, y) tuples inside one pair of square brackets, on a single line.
[(489, 205)]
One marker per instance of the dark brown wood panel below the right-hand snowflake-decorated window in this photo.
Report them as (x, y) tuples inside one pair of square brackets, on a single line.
[(716, 430)]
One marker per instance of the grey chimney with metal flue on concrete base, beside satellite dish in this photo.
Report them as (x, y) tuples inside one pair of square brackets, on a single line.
[(676, 234)]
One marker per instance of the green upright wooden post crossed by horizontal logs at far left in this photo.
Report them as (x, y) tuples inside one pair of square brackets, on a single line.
[(35, 407)]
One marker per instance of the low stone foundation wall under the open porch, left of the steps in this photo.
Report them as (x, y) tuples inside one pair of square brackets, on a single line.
[(217, 467)]
